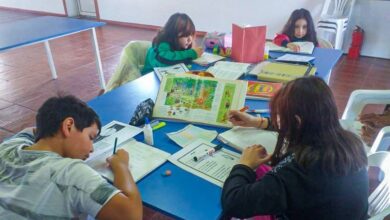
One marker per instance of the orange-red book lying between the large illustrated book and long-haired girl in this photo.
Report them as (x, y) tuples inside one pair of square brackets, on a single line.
[(262, 90)]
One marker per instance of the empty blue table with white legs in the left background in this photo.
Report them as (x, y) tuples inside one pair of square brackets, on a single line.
[(43, 29)]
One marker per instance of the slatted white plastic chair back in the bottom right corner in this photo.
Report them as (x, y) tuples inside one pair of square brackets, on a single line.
[(379, 199)]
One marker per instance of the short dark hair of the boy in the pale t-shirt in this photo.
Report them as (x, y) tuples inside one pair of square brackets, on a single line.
[(56, 109)]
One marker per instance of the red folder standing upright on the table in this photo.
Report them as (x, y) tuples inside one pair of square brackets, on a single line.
[(248, 43)]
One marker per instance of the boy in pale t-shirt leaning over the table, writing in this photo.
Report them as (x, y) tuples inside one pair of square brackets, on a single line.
[(43, 176)]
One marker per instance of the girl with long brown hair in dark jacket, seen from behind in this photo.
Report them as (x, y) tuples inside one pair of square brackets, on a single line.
[(319, 170)]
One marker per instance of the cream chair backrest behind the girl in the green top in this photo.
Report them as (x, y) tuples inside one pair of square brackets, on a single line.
[(130, 65)]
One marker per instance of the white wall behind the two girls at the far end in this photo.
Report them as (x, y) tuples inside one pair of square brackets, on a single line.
[(215, 15)]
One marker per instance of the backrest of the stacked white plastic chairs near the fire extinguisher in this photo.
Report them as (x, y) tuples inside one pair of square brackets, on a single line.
[(337, 8)]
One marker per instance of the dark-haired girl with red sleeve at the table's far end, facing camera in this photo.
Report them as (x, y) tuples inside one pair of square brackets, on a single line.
[(299, 27)]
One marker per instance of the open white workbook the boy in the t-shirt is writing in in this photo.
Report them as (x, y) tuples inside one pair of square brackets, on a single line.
[(142, 158)]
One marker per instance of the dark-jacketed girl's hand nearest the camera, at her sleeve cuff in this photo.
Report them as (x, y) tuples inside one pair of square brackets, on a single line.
[(254, 156)]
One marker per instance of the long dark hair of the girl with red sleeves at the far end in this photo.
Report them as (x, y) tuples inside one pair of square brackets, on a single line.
[(289, 28)]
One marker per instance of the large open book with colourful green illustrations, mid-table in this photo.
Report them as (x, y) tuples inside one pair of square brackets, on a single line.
[(198, 99)]
